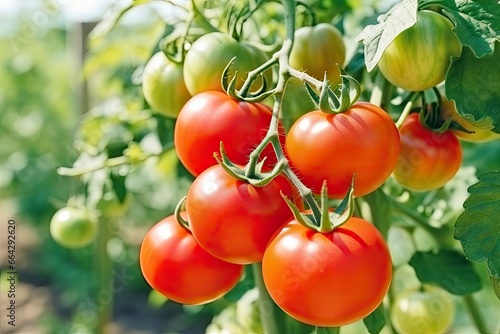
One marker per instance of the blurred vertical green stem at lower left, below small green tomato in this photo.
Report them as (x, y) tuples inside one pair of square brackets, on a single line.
[(105, 268)]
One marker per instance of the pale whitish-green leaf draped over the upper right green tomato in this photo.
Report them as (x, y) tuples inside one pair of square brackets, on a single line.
[(376, 38)]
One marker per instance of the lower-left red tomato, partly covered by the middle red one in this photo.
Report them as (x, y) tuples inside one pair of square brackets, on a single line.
[(175, 265)]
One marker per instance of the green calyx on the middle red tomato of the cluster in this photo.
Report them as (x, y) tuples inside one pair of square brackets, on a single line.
[(252, 174)]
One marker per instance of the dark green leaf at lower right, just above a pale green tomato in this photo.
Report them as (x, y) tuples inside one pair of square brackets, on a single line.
[(448, 269)]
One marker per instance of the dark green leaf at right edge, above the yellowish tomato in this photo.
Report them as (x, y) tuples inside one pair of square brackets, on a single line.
[(478, 103)]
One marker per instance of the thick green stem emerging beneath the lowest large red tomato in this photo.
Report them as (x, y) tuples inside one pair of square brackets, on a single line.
[(271, 316)]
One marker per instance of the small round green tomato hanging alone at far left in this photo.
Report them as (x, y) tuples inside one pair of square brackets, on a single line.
[(73, 227)]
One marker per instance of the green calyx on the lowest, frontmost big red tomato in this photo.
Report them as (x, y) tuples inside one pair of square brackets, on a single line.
[(328, 220)]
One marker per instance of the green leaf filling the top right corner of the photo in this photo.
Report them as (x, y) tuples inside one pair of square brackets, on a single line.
[(475, 24)]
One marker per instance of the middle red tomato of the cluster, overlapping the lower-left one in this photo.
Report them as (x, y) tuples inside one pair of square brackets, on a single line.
[(234, 220)]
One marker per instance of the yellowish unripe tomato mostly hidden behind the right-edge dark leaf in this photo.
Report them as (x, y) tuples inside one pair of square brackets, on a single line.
[(448, 109)]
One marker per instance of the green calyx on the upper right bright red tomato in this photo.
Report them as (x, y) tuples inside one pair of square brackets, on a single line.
[(338, 100)]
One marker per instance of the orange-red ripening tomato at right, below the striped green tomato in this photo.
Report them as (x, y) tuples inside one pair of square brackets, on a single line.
[(428, 159)]
